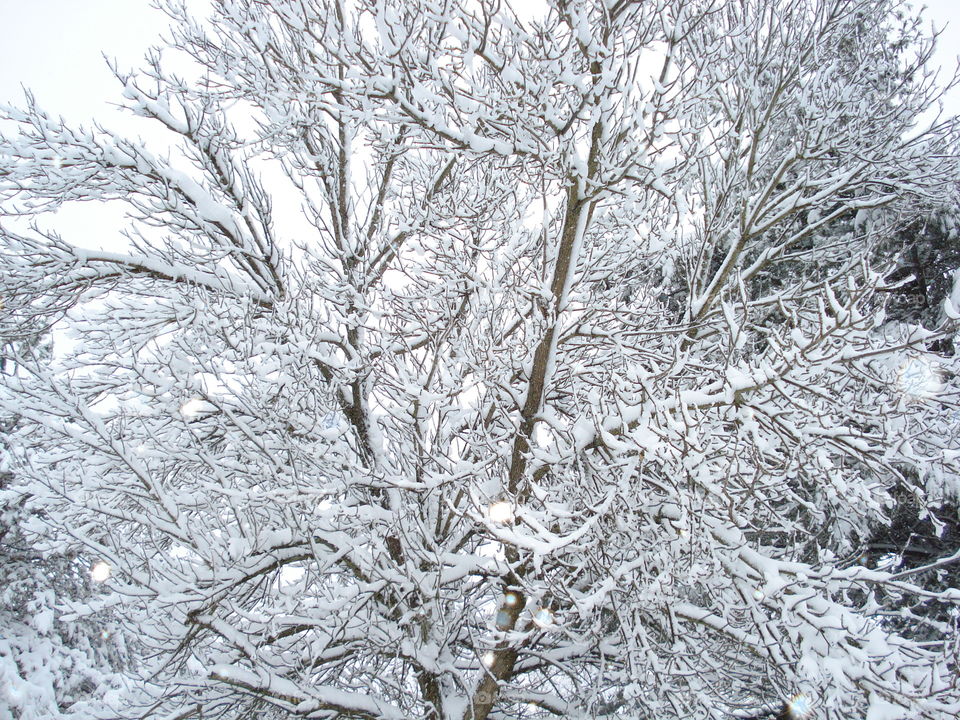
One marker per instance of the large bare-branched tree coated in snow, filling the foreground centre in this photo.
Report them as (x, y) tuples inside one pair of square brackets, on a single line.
[(462, 363)]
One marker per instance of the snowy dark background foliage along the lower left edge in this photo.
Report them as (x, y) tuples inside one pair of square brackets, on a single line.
[(50, 668)]
